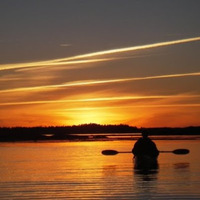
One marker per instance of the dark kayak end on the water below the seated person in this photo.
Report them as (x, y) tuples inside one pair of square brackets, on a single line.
[(145, 162)]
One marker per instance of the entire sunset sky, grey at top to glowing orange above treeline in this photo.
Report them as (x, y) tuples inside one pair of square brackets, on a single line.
[(65, 62)]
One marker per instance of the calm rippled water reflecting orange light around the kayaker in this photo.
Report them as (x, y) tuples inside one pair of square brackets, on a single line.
[(77, 170)]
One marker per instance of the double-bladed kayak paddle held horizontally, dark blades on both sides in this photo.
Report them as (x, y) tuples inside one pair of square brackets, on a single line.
[(114, 152)]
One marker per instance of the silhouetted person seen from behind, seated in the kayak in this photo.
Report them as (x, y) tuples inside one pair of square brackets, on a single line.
[(145, 147)]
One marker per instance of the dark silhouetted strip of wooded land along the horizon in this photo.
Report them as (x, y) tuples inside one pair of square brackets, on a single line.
[(86, 132)]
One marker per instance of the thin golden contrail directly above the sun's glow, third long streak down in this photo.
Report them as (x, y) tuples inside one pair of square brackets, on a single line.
[(118, 98)]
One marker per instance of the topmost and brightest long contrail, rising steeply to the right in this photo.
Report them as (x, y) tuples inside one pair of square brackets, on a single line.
[(94, 54)]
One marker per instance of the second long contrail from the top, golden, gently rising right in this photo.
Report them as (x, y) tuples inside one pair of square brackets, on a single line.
[(95, 82)]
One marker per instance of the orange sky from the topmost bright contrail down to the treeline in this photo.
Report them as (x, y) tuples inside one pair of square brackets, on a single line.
[(145, 85)]
